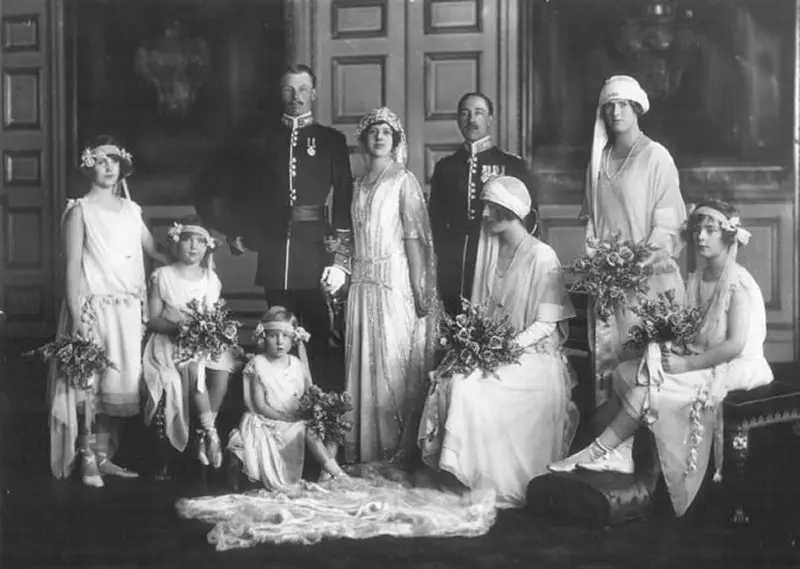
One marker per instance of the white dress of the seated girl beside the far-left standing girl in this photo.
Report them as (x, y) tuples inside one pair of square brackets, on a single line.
[(160, 373)]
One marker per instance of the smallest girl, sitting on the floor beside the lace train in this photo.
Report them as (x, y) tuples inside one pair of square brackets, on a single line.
[(271, 439)]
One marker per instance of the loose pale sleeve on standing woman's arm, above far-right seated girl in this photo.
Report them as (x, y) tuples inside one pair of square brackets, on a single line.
[(669, 210)]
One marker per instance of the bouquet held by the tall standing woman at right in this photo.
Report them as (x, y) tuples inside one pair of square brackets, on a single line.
[(612, 272)]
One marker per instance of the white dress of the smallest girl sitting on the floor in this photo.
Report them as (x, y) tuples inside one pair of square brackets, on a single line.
[(270, 450)]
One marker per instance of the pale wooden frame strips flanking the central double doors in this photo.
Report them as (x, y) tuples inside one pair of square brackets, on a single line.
[(299, 18)]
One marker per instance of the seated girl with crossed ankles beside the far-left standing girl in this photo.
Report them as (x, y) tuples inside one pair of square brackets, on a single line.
[(169, 383)]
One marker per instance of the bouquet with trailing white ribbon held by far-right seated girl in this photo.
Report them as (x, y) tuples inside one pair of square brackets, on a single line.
[(666, 326)]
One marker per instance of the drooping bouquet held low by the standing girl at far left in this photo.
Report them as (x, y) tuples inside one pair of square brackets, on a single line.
[(77, 360)]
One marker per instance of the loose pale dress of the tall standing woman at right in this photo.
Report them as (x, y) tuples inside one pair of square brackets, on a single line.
[(642, 201)]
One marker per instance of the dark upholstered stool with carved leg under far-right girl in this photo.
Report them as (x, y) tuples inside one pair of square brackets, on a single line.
[(773, 404)]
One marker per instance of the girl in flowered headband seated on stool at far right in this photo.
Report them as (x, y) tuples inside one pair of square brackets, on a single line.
[(728, 354)]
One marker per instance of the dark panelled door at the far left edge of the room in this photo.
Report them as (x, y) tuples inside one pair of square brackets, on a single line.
[(32, 95)]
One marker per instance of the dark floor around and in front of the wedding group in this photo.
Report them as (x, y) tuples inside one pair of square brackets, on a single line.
[(50, 523)]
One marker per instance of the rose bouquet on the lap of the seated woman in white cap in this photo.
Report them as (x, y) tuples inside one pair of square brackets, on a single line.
[(474, 340)]
